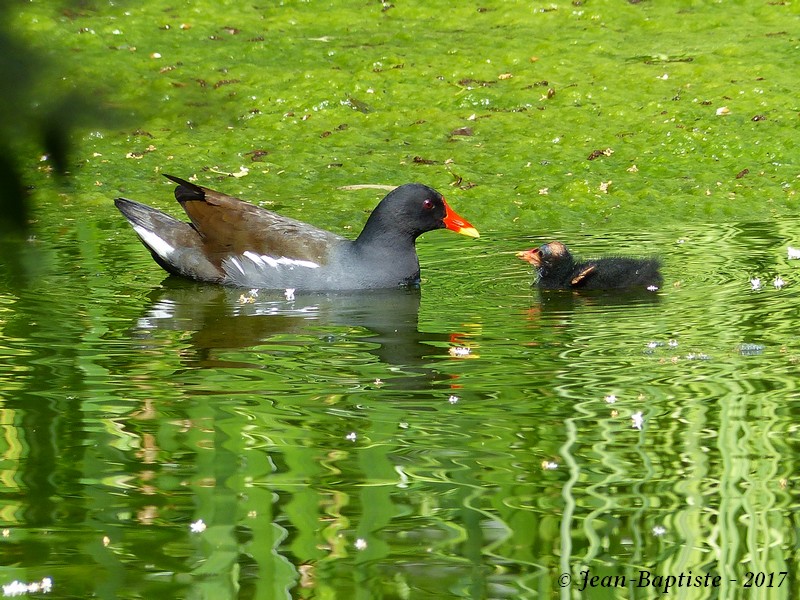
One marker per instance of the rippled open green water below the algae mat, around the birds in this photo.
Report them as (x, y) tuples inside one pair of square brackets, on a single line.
[(474, 438)]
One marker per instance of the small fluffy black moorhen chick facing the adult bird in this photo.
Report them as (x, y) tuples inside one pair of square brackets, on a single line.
[(557, 269)]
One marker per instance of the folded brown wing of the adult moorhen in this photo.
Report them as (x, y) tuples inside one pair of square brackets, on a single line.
[(229, 226)]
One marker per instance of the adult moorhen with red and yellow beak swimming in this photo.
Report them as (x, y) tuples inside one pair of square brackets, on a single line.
[(233, 242)]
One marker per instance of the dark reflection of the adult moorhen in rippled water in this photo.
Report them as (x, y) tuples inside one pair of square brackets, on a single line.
[(222, 319)]
